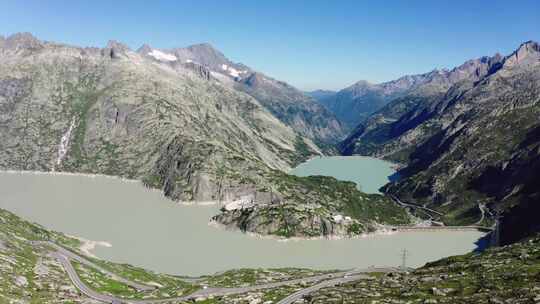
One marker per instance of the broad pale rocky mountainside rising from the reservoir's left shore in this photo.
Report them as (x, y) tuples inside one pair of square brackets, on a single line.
[(117, 112)]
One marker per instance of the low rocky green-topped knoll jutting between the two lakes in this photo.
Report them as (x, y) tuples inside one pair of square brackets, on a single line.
[(322, 206)]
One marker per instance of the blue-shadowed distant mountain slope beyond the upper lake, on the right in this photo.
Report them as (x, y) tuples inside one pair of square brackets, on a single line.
[(417, 100)]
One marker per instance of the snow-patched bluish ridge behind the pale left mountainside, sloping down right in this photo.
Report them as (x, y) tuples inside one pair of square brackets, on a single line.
[(287, 103)]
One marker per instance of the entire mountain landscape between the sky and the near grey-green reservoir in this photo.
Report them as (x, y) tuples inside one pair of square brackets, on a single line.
[(200, 127)]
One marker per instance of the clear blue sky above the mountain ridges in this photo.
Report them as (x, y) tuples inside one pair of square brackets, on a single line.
[(310, 44)]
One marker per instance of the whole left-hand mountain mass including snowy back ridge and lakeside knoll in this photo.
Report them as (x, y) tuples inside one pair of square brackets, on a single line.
[(187, 121)]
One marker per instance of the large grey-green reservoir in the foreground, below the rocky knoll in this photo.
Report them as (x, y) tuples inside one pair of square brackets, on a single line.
[(145, 229)]
